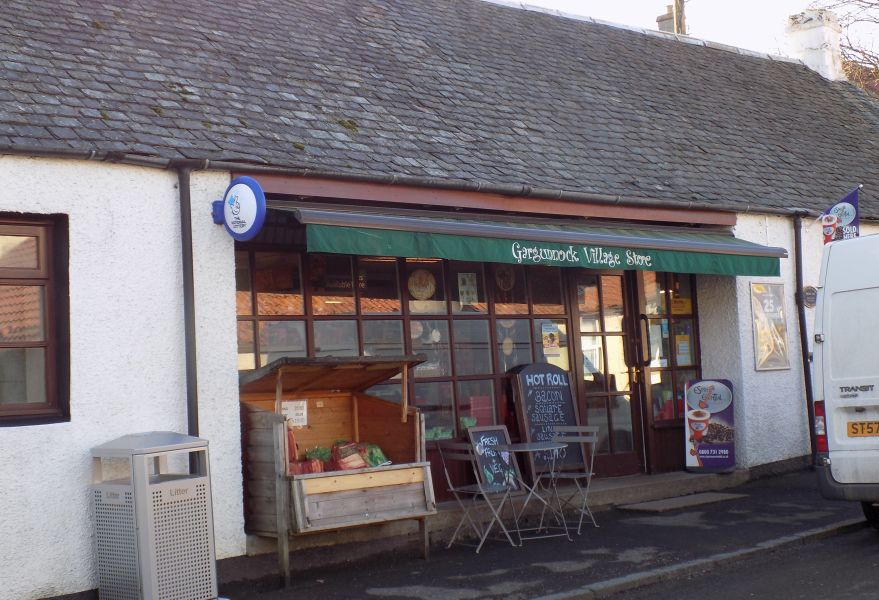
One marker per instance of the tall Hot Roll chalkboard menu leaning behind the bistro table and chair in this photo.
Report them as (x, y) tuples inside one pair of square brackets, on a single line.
[(543, 400)]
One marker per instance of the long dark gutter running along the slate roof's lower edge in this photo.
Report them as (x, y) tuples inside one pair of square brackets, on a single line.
[(517, 190)]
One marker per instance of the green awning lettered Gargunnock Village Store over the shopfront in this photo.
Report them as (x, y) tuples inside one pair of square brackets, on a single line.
[(567, 243)]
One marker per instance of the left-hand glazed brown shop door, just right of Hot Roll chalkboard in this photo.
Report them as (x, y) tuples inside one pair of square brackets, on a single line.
[(604, 354)]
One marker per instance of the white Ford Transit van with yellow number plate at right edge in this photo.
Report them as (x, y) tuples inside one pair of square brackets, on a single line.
[(846, 373)]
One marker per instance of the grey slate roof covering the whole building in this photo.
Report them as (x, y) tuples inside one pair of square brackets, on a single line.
[(449, 89)]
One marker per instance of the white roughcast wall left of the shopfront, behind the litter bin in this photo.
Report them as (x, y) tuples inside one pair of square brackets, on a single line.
[(127, 363)]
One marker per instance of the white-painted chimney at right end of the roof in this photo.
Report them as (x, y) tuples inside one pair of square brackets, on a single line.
[(813, 37)]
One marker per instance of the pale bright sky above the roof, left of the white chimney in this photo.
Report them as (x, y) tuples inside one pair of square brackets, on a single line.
[(756, 25)]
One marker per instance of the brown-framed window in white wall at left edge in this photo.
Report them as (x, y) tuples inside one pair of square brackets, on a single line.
[(33, 322)]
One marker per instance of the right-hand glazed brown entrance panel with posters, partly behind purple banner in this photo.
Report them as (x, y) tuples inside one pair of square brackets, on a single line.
[(667, 348)]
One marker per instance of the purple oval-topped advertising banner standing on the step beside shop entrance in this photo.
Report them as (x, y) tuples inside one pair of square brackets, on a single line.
[(709, 426)]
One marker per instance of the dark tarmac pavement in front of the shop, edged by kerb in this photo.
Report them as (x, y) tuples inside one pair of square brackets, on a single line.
[(675, 526)]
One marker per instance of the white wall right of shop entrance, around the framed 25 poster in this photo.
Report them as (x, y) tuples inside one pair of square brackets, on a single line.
[(770, 410)]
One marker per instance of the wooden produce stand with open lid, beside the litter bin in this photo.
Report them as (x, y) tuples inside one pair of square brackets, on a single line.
[(328, 396)]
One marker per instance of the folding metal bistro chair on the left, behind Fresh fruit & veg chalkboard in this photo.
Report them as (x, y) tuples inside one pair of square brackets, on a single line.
[(472, 496)]
